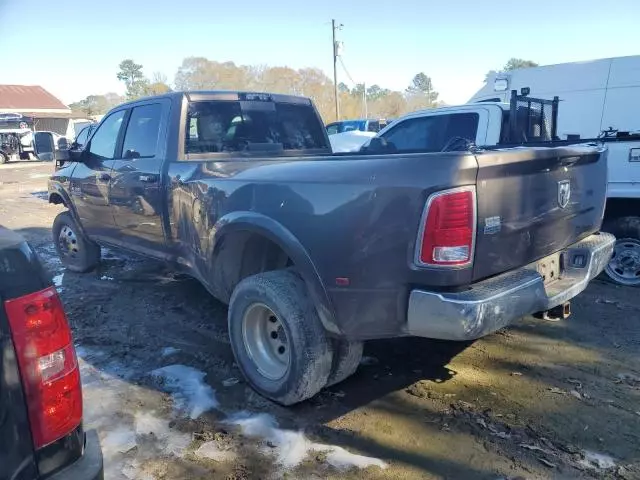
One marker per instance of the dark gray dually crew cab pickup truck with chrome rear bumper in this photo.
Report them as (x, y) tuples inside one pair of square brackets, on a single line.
[(316, 252)]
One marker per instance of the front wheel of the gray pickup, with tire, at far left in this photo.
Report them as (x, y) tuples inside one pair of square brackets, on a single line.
[(77, 253)]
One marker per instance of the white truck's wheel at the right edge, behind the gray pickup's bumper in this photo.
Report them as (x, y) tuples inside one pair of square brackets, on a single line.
[(624, 266)]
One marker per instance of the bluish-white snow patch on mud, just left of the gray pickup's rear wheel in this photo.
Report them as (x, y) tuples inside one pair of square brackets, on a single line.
[(189, 392)]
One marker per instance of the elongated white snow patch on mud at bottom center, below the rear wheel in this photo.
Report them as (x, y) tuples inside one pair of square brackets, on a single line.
[(291, 447)]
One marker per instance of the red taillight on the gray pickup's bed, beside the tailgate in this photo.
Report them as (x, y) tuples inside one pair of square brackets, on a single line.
[(447, 238)]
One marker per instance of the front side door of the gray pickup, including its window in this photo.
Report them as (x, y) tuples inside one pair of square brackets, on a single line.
[(92, 177)]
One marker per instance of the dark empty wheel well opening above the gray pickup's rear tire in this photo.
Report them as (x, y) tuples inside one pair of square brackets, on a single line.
[(241, 254)]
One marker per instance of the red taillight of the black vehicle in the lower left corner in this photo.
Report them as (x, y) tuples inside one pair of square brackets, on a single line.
[(48, 364)]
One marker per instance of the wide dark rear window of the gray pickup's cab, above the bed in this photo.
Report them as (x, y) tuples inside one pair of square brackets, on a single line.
[(255, 124)]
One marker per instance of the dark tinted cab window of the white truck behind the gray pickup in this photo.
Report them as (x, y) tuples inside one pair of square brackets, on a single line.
[(433, 133)]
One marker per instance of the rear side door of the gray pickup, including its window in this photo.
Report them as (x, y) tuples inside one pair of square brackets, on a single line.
[(136, 195)]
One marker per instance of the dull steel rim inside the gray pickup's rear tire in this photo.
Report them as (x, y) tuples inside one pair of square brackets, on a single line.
[(265, 341)]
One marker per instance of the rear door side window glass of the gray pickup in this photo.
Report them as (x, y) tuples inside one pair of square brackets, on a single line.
[(141, 139)]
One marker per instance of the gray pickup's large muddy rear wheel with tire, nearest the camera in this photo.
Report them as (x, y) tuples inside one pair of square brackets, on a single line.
[(277, 337)]
